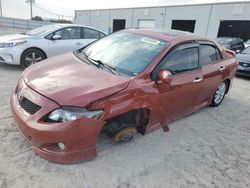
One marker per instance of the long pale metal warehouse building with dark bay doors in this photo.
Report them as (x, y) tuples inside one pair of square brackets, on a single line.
[(213, 20)]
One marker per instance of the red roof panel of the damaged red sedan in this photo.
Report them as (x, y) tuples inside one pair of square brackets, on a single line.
[(169, 35)]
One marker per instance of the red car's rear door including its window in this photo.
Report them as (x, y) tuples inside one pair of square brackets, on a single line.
[(212, 67)]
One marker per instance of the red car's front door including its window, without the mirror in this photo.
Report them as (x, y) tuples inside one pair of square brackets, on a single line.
[(180, 96)]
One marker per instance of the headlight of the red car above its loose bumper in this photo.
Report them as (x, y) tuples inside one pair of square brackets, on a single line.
[(72, 113)]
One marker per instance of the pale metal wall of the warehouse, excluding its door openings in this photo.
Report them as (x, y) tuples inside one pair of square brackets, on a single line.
[(207, 16)]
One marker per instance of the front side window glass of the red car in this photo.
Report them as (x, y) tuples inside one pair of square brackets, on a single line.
[(182, 60)]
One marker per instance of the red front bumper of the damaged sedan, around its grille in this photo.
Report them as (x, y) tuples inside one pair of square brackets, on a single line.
[(79, 136)]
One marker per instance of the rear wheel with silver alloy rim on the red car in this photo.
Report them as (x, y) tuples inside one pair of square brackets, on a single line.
[(219, 94)]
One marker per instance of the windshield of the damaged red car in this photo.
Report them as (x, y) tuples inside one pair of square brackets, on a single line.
[(128, 53)]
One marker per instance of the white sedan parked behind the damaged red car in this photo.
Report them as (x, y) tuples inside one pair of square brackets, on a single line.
[(28, 48)]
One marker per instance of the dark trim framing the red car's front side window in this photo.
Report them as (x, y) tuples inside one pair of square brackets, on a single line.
[(178, 47)]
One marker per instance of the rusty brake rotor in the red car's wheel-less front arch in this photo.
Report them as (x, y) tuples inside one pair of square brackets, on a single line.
[(125, 135)]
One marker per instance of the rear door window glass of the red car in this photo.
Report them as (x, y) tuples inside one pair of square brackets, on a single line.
[(208, 54)]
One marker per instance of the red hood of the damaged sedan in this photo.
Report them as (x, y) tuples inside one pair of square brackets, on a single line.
[(69, 81)]
